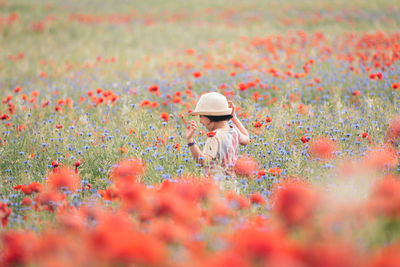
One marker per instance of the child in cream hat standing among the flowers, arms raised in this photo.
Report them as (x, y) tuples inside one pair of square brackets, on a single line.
[(220, 151)]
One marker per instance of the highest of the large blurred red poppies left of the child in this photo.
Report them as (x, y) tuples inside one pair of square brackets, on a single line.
[(128, 169)]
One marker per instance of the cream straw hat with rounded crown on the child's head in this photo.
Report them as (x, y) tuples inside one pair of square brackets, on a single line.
[(212, 104)]
